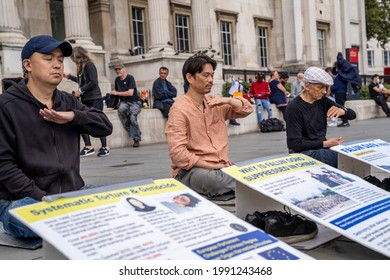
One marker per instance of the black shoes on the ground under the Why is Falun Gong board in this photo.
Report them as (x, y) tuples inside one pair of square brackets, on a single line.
[(284, 226)]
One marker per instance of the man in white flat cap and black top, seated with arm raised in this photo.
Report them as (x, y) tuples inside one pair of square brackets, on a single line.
[(306, 118)]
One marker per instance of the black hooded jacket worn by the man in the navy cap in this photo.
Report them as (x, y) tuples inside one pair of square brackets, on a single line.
[(38, 157)]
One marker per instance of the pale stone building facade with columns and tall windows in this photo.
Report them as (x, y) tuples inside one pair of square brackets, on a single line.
[(255, 35)]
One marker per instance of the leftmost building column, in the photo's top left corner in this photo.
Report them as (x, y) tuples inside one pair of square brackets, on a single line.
[(10, 29)]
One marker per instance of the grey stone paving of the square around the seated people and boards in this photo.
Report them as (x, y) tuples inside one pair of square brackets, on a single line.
[(152, 161)]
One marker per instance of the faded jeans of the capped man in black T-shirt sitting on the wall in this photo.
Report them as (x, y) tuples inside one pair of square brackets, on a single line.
[(128, 112)]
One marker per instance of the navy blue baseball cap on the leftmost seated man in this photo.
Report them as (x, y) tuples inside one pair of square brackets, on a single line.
[(45, 44)]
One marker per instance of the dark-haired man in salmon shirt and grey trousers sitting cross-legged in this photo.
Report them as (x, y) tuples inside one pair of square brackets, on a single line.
[(196, 130)]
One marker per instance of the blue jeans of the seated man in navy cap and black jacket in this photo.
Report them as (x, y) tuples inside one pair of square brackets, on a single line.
[(11, 225)]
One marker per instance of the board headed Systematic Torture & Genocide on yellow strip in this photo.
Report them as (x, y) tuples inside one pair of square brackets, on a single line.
[(162, 219)]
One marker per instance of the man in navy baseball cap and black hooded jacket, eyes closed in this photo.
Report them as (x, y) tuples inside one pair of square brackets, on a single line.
[(40, 133)]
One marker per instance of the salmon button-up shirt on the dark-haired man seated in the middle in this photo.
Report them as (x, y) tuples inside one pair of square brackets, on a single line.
[(193, 133)]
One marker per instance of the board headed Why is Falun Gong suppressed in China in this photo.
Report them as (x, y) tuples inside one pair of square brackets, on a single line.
[(338, 200)]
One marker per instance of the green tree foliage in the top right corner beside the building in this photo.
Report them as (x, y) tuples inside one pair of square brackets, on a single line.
[(378, 21)]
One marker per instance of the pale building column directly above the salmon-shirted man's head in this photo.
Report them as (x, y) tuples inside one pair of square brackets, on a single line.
[(201, 25)]
